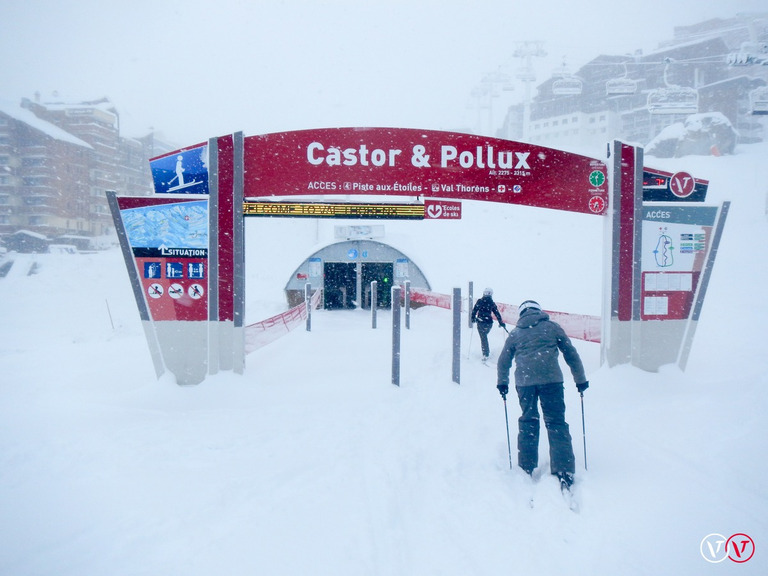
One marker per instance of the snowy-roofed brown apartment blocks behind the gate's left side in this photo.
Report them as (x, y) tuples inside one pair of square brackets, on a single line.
[(58, 159)]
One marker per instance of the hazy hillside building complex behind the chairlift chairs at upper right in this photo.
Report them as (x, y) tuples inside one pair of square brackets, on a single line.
[(715, 66)]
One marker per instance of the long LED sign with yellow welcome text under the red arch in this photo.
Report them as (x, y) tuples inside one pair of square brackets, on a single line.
[(334, 210)]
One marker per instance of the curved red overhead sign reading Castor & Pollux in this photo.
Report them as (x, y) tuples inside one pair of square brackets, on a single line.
[(408, 162)]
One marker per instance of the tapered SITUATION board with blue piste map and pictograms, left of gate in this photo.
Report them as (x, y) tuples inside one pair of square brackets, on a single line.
[(165, 244)]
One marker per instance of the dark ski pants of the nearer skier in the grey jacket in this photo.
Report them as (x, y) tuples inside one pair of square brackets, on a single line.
[(561, 459)]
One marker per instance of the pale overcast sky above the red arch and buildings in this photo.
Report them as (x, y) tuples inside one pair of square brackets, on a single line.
[(200, 68)]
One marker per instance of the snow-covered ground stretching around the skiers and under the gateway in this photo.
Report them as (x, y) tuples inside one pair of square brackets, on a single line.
[(313, 463)]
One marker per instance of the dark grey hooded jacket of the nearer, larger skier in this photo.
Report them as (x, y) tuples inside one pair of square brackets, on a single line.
[(534, 344)]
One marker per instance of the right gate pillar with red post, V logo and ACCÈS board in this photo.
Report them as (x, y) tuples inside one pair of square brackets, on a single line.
[(660, 255)]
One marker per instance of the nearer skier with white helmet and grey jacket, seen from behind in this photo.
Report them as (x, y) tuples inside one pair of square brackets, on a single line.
[(534, 345)]
